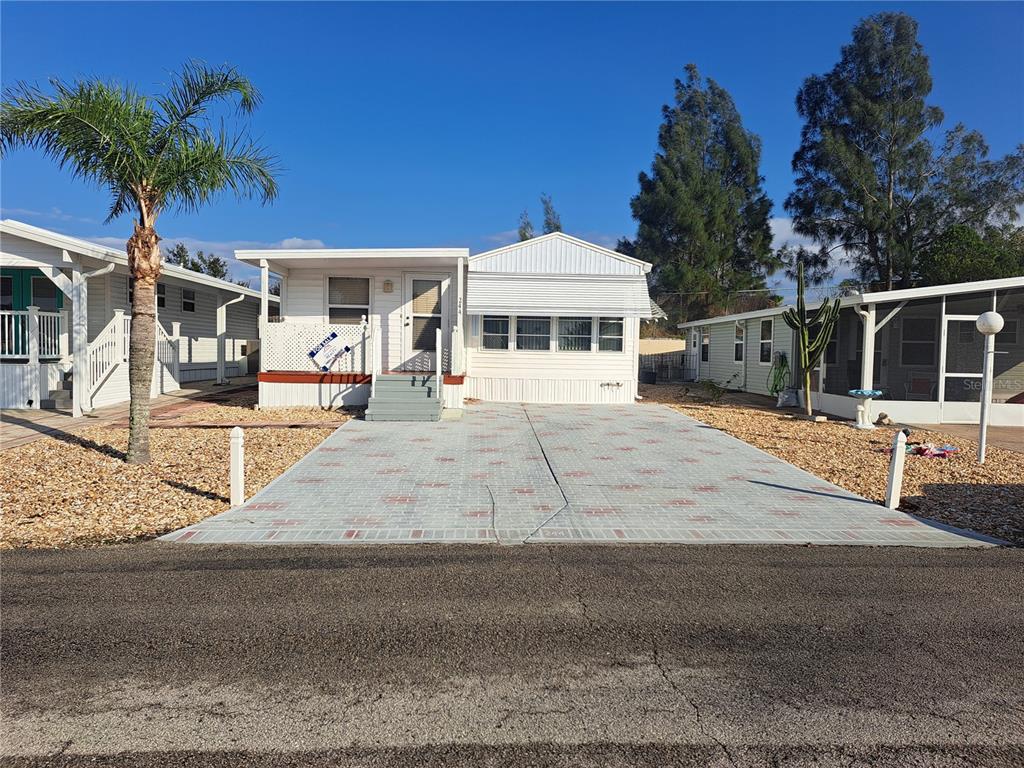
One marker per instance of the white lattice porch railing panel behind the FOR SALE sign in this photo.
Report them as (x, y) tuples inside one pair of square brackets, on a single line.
[(286, 347)]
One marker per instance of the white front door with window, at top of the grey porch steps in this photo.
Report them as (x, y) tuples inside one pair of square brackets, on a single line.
[(425, 312)]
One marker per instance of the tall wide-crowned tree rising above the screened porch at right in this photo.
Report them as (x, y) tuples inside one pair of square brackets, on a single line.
[(870, 185)]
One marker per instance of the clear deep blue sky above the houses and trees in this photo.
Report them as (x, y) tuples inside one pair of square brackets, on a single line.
[(437, 124)]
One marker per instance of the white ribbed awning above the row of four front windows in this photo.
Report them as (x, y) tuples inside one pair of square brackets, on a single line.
[(588, 295)]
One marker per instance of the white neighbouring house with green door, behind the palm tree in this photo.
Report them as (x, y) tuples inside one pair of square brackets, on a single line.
[(66, 316)]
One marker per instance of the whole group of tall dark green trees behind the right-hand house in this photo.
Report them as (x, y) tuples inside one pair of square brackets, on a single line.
[(878, 187)]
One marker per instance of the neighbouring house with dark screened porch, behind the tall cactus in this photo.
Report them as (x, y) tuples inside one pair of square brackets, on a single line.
[(927, 357)]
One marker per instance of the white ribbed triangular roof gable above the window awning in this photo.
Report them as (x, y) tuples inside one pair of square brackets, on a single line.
[(557, 253)]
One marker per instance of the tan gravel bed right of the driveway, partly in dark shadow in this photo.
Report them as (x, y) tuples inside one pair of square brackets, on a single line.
[(989, 499)]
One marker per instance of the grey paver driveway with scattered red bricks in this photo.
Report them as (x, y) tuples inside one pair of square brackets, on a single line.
[(513, 474)]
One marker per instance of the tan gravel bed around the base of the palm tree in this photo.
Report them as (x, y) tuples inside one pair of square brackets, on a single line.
[(75, 491)]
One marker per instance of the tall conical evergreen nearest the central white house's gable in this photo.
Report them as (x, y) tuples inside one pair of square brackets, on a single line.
[(703, 212)]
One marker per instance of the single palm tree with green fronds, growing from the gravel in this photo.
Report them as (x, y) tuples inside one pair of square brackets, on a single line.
[(151, 154)]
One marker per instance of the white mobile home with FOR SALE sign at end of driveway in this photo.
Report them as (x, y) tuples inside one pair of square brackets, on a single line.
[(549, 320)]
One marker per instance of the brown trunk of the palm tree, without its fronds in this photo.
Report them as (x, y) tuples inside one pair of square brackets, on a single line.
[(144, 263)]
